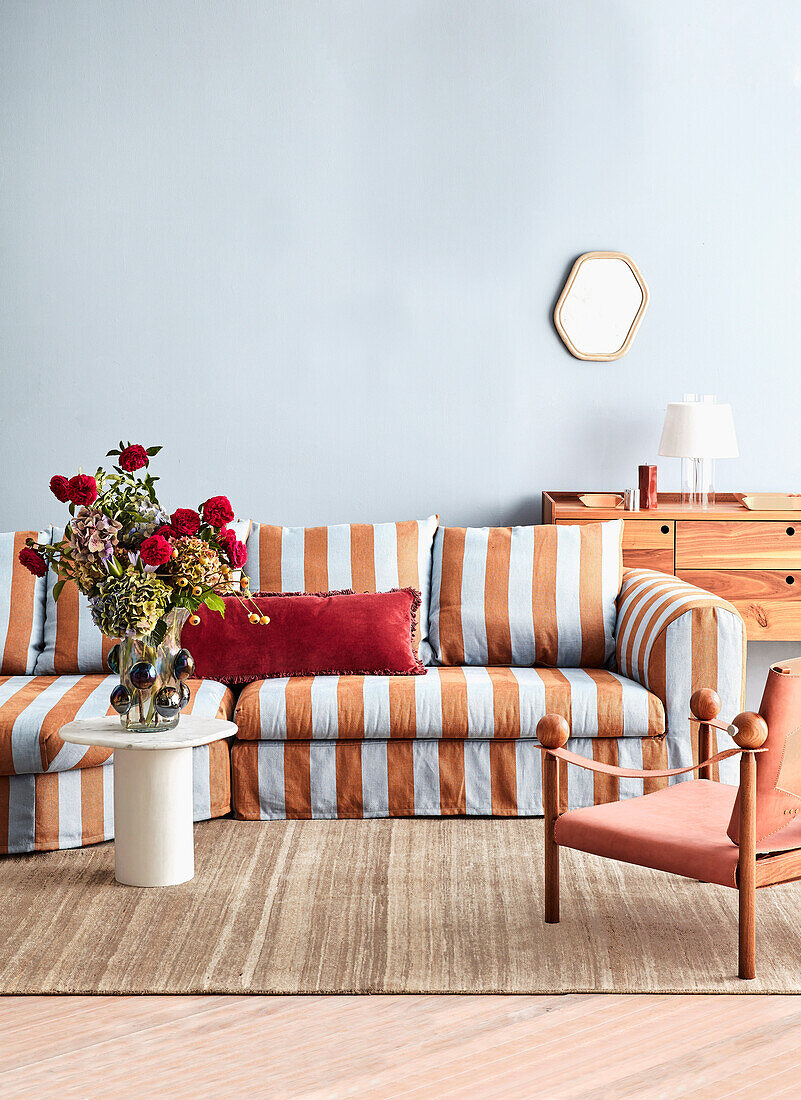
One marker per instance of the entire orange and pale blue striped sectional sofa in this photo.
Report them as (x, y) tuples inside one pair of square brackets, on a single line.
[(618, 654)]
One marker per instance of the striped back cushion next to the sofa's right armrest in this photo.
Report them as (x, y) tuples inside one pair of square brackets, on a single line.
[(526, 596)]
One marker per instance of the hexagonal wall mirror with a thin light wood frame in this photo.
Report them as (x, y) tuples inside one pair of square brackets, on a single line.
[(601, 307)]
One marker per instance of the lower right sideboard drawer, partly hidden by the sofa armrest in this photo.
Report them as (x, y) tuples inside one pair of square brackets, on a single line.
[(770, 601)]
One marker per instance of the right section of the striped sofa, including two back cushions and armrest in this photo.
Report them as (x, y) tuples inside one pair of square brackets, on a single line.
[(462, 740)]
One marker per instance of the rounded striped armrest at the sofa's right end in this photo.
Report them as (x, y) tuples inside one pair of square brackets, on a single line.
[(675, 639)]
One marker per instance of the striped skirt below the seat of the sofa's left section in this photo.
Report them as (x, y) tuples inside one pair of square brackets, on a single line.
[(72, 809)]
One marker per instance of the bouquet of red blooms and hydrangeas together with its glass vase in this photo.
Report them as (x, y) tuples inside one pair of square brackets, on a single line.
[(145, 573)]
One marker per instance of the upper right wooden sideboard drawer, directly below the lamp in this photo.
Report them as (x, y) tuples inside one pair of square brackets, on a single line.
[(732, 545)]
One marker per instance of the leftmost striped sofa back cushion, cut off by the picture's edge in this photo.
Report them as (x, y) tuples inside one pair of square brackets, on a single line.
[(21, 606)]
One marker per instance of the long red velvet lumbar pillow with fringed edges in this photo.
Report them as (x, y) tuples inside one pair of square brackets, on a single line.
[(309, 635)]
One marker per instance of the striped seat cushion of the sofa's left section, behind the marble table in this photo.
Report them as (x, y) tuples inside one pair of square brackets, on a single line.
[(35, 709)]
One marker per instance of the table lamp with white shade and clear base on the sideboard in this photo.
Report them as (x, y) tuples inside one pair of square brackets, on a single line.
[(699, 433)]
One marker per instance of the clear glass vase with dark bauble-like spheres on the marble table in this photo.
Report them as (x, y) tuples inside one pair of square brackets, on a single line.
[(152, 691)]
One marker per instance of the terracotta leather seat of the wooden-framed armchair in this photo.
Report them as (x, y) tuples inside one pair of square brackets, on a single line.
[(682, 830)]
